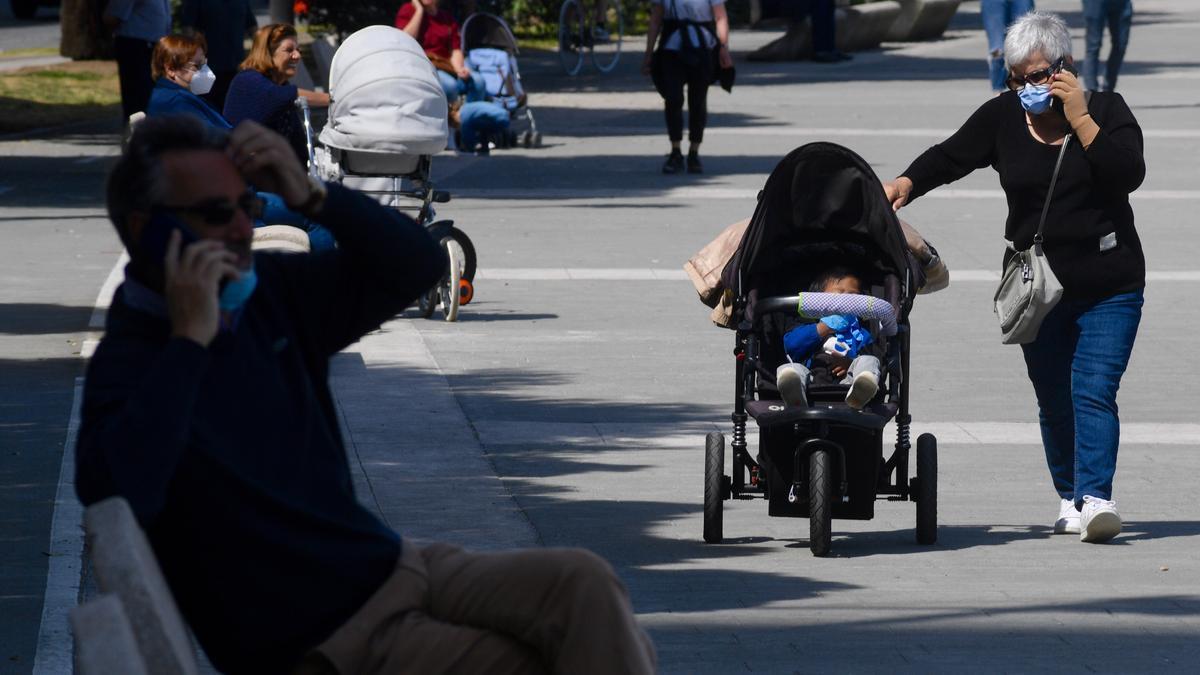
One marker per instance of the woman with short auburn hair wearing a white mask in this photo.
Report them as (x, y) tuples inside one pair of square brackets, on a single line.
[(182, 75)]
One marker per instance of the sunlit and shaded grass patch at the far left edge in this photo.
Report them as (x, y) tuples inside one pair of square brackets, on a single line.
[(43, 97)]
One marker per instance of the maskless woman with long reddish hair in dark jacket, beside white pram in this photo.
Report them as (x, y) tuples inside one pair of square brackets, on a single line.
[(262, 91)]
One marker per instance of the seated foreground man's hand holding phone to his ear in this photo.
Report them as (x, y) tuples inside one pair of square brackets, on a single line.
[(193, 282)]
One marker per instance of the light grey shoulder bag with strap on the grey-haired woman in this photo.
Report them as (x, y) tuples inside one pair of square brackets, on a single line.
[(1029, 289)]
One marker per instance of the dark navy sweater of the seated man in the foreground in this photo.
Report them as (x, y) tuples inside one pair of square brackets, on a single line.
[(231, 456)]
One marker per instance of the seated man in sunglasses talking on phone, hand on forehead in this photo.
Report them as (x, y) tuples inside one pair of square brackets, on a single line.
[(207, 407)]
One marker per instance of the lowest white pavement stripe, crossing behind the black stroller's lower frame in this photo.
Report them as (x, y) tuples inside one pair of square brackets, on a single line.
[(687, 437)]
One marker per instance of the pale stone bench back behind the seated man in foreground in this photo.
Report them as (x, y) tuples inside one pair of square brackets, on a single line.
[(135, 626)]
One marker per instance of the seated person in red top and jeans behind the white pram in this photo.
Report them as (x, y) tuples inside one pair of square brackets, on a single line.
[(440, 37)]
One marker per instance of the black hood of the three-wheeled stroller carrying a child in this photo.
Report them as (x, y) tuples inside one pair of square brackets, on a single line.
[(823, 200)]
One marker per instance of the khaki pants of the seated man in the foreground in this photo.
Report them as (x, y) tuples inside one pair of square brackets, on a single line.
[(449, 611)]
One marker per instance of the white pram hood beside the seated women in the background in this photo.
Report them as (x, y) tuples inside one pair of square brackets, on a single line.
[(386, 97)]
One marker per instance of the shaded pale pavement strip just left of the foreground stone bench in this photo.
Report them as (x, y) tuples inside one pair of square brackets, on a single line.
[(55, 653)]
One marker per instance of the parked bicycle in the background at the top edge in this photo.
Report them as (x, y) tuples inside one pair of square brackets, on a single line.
[(601, 34)]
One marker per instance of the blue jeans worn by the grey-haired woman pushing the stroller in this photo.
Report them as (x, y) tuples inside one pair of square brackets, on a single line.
[(1076, 367)]
